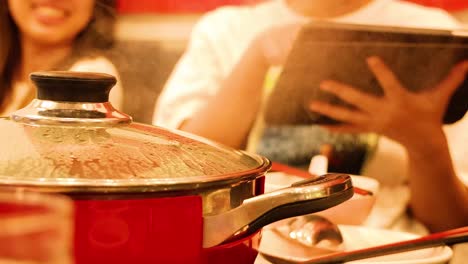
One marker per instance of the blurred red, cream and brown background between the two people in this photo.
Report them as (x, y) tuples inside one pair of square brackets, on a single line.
[(161, 28)]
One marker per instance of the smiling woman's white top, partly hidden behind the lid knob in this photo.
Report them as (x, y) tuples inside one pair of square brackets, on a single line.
[(22, 92)]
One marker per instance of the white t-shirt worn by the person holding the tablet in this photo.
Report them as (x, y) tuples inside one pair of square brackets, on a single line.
[(220, 38)]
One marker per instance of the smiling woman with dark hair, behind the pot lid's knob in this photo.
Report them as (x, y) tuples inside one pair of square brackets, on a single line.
[(52, 35)]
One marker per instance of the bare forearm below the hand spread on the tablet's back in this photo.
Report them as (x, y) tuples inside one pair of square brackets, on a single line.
[(438, 198)]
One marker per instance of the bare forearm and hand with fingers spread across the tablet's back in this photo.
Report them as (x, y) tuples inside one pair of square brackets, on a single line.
[(438, 198)]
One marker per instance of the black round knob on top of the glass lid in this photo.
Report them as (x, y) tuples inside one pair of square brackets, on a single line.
[(69, 86)]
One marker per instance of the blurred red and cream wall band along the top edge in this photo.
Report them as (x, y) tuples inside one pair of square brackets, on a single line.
[(171, 20)]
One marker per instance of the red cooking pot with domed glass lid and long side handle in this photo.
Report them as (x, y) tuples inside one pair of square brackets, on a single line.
[(145, 194)]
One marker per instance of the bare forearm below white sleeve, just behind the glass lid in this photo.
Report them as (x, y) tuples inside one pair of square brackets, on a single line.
[(227, 118)]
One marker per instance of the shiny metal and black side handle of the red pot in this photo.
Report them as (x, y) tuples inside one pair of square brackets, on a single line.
[(303, 197)]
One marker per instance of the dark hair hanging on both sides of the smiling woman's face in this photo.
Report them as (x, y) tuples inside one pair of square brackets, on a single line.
[(95, 38)]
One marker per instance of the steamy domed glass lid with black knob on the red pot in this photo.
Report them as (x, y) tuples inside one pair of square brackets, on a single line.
[(71, 136)]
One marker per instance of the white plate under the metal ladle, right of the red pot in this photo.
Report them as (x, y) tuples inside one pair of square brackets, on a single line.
[(355, 237)]
